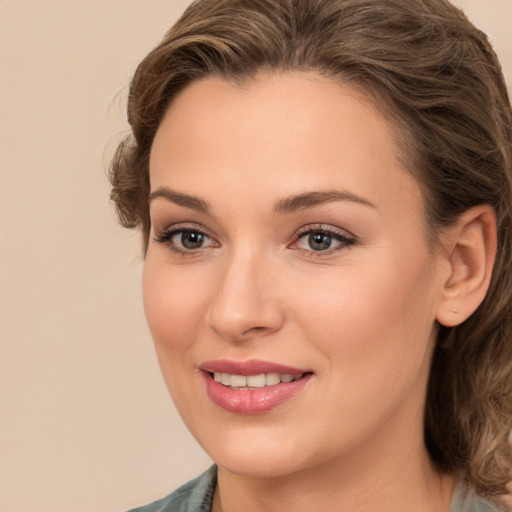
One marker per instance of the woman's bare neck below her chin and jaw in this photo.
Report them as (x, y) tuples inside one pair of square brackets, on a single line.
[(380, 476)]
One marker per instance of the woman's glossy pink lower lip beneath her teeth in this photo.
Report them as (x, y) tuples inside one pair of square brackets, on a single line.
[(255, 400)]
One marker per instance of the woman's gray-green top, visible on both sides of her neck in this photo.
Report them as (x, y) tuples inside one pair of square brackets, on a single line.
[(197, 496)]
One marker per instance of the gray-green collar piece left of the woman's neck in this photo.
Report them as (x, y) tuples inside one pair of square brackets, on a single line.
[(194, 496)]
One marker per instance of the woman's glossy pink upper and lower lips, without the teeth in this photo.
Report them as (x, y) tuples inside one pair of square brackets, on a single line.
[(256, 400)]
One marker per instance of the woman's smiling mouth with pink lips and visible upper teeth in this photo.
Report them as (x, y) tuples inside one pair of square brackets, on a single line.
[(252, 387)]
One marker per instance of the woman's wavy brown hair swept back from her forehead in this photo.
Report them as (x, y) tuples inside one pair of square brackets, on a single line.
[(436, 76)]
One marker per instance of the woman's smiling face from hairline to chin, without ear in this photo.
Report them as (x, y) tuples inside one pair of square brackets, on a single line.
[(288, 242)]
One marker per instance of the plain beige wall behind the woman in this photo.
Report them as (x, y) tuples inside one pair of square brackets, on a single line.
[(85, 421)]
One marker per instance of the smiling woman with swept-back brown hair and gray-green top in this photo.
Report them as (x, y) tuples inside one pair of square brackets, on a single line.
[(324, 191)]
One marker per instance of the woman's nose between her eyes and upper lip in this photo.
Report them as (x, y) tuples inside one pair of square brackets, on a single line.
[(245, 303)]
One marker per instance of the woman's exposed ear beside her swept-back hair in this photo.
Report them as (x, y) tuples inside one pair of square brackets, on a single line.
[(470, 249)]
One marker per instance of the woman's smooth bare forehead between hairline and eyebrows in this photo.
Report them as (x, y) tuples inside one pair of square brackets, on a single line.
[(289, 132)]
